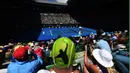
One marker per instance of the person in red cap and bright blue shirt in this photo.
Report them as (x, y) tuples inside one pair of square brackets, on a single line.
[(22, 64)]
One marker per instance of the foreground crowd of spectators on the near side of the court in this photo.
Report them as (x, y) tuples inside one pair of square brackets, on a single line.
[(103, 53)]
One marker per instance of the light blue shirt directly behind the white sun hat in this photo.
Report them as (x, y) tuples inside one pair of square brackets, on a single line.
[(102, 44)]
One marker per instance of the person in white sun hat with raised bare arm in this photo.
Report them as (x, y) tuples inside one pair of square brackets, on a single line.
[(101, 62)]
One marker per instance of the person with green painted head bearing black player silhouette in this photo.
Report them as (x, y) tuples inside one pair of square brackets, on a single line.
[(63, 55)]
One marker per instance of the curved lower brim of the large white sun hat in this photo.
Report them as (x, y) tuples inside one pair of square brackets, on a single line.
[(103, 62)]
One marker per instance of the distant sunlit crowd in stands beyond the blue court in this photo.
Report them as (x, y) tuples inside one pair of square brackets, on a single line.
[(57, 18)]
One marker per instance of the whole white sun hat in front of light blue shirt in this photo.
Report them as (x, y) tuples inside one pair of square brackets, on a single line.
[(103, 57)]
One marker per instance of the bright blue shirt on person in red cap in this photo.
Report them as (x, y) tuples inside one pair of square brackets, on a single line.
[(26, 66)]
